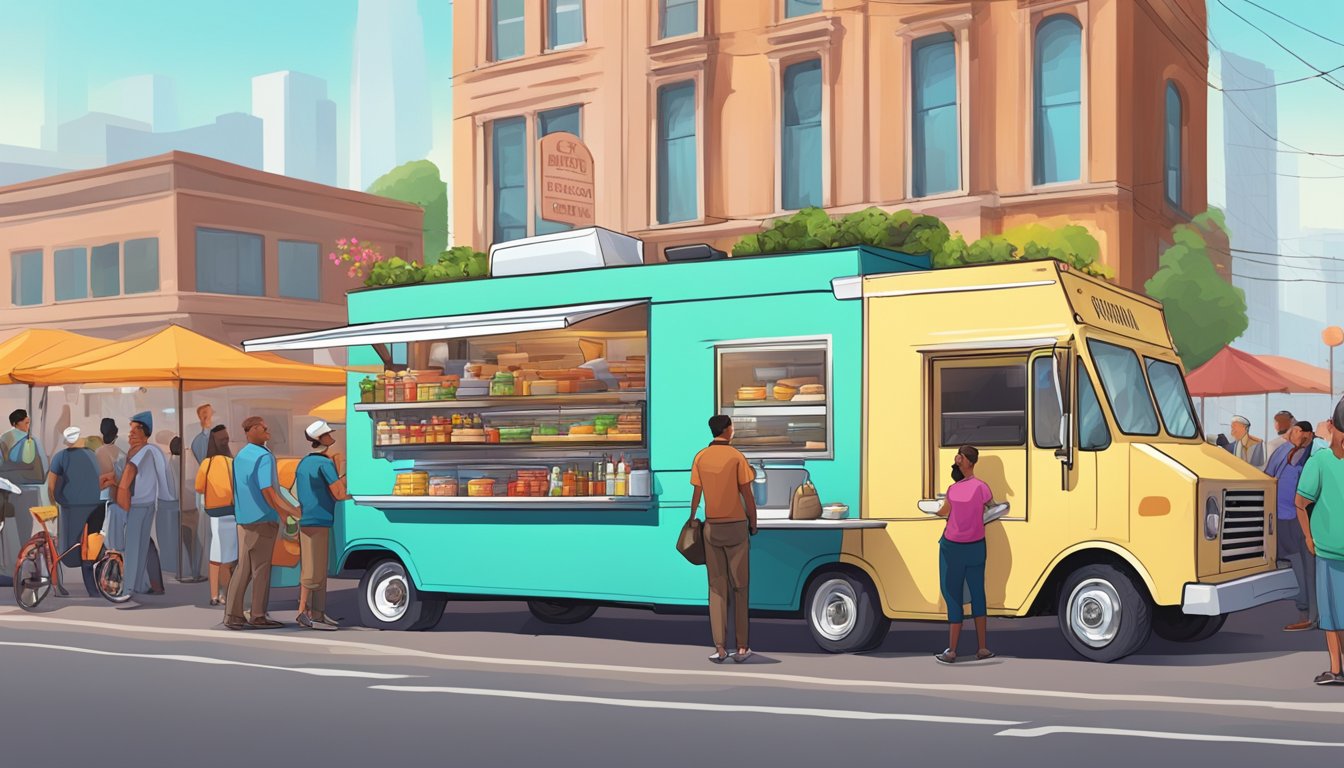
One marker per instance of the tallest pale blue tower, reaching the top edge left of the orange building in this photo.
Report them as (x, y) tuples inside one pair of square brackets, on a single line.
[(390, 107)]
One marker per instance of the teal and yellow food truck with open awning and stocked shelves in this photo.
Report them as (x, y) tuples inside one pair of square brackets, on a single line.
[(486, 462)]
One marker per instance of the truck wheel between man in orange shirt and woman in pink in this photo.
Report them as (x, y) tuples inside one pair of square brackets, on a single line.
[(845, 614)]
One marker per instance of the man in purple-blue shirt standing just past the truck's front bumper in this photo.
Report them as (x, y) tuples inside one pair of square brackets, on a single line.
[(1286, 466)]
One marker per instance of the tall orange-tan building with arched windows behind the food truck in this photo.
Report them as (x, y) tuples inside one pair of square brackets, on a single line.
[(709, 118)]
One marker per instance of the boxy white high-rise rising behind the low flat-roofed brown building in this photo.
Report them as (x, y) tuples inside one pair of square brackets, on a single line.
[(299, 126)]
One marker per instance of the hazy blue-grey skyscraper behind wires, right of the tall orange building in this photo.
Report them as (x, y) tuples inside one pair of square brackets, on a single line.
[(1251, 118)]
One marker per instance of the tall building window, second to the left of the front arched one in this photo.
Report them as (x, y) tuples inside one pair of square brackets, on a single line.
[(800, 165)]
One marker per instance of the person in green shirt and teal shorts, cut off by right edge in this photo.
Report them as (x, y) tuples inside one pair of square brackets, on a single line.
[(1323, 528)]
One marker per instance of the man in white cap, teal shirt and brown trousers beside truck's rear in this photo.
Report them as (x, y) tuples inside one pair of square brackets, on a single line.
[(319, 488)]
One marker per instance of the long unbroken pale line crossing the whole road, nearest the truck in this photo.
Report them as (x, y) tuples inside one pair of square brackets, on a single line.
[(717, 675)]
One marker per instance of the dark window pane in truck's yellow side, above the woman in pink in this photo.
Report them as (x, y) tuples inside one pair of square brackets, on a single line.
[(984, 406)]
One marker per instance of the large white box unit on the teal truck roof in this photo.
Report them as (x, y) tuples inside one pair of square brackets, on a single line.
[(571, 251)]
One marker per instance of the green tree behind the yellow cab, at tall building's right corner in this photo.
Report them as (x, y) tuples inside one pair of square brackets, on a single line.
[(1204, 311)]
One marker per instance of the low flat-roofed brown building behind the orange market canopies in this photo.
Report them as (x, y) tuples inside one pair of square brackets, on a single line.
[(225, 251)]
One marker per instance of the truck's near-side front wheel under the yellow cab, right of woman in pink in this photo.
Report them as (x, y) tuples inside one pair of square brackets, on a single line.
[(1115, 615)]
